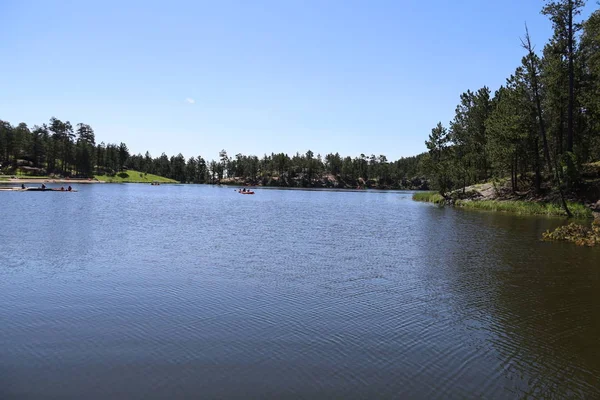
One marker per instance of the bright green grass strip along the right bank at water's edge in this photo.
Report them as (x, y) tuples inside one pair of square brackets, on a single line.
[(512, 206)]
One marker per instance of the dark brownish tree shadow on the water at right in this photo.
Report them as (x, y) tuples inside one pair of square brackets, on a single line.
[(536, 304)]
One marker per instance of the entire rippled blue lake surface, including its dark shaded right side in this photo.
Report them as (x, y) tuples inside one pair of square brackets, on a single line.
[(181, 292)]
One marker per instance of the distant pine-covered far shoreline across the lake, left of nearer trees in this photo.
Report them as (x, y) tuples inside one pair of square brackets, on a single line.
[(62, 149)]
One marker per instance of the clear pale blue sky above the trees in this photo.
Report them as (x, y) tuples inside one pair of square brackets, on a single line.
[(257, 77)]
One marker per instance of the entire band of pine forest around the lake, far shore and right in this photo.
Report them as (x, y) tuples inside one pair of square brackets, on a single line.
[(541, 129)]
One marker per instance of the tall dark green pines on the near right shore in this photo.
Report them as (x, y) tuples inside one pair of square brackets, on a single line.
[(541, 126)]
